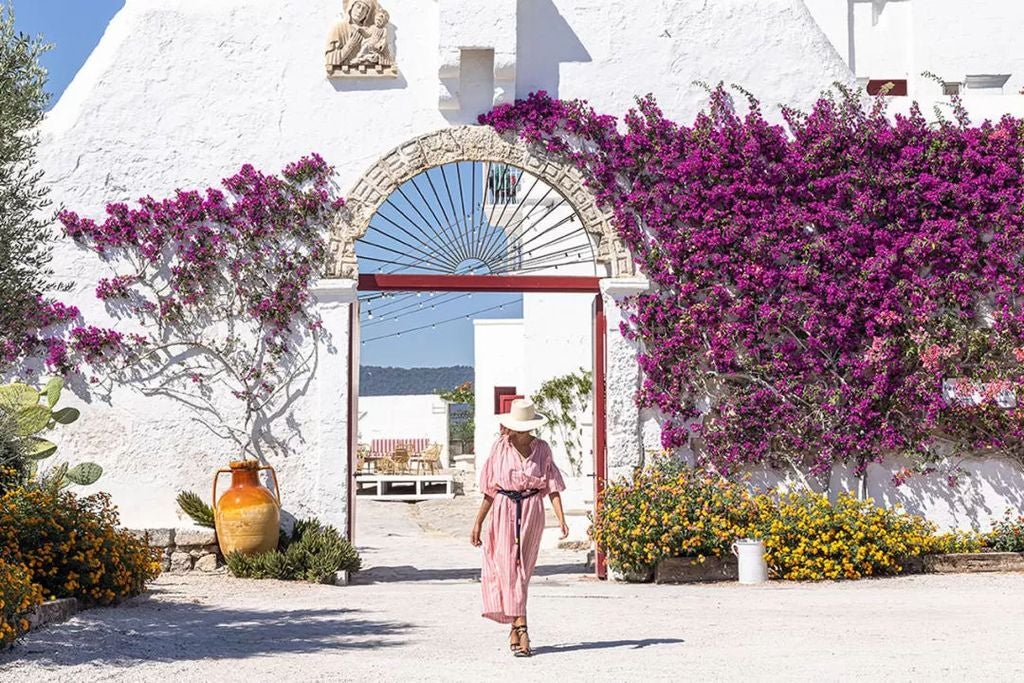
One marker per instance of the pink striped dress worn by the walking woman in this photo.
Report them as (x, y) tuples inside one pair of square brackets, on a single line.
[(507, 572)]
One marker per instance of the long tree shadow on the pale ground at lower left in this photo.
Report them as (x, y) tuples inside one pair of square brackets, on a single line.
[(180, 632)]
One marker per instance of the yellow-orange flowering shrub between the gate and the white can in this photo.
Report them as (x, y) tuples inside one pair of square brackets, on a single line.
[(670, 510)]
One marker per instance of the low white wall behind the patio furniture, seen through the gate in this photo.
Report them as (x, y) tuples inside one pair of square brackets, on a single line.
[(405, 417)]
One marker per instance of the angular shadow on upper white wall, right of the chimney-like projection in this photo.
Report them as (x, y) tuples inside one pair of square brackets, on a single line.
[(546, 41)]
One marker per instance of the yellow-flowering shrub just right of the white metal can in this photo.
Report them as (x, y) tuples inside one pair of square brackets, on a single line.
[(809, 539)]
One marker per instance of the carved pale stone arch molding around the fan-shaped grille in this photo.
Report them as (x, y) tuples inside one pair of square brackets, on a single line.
[(468, 144)]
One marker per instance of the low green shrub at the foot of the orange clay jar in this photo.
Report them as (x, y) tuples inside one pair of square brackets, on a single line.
[(313, 553)]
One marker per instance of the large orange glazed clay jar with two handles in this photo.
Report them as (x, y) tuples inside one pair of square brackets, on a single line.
[(248, 516)]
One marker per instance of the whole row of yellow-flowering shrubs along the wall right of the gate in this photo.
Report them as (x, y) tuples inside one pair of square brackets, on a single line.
[(671, 510)]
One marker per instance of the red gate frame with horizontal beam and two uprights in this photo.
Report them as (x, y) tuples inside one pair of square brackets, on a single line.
[(518, 284)]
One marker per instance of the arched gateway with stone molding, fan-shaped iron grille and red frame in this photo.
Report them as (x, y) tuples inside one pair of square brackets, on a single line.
[(405, 204)]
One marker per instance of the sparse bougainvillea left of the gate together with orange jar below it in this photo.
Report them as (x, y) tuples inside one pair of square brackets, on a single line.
[(219, 286)]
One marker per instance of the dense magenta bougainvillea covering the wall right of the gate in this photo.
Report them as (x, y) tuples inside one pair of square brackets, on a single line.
[(837, 289)]
